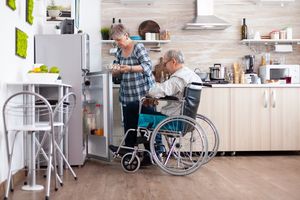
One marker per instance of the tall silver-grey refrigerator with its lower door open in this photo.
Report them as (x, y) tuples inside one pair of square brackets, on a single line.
[(70, 53)]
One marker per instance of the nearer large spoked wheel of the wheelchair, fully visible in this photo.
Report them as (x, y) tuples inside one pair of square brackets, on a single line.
[(185, 145)]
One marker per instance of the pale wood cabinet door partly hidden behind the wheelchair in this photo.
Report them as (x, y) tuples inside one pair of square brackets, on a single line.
[(215, 104)]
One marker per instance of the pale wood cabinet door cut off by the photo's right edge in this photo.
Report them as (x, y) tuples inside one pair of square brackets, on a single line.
[(285, 118)]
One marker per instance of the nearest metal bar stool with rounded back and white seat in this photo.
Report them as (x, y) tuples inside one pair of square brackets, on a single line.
[(28, 112)]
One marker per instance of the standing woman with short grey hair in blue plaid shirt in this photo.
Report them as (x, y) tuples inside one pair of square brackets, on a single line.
[(135, 67)]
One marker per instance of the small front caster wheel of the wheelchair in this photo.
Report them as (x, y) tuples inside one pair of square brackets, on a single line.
[(130, 163)]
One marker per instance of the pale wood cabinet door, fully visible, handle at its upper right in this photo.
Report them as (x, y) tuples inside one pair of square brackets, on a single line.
[(250, 124)]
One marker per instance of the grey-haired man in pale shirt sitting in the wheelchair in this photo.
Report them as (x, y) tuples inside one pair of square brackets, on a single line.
[(180, 77)]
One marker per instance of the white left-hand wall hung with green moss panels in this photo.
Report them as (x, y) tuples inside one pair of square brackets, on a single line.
[(13, 67)]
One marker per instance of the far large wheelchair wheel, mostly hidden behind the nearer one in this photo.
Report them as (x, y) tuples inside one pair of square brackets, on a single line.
[(211, 134)]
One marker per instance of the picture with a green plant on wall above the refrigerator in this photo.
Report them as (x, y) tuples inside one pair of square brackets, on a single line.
[(58, 10)]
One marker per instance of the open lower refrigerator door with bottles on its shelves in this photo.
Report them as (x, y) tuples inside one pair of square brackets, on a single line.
[(98, 105)]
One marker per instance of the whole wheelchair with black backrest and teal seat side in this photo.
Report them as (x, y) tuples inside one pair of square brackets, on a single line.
[(179, 145)]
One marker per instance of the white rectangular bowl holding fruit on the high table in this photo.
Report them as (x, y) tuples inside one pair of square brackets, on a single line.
[(42, 77)]
